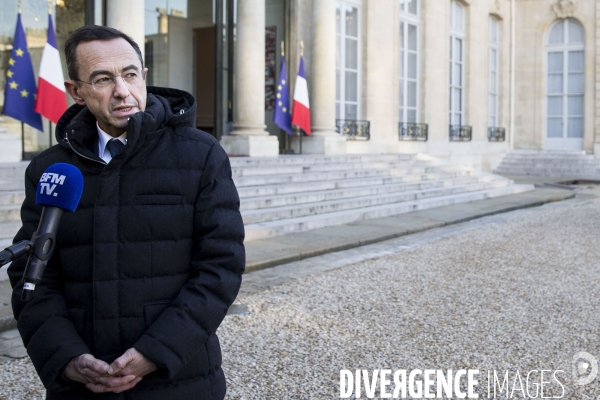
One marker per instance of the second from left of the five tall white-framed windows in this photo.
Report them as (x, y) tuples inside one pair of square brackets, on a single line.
[(409, 60)]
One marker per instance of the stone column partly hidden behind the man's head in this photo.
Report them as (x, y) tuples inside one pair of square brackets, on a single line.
[(128, 17)]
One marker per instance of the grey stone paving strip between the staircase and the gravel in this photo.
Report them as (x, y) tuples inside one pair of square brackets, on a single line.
[(270, 252)]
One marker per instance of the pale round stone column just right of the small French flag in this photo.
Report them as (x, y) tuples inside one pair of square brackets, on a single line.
[(324, 139)]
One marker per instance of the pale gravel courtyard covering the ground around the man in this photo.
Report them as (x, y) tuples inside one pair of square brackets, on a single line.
[(515, 295)]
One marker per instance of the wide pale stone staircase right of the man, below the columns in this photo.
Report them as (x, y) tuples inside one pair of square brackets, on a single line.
[(299, 193)]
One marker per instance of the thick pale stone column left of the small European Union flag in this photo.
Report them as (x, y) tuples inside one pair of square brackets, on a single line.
[(249, 137)]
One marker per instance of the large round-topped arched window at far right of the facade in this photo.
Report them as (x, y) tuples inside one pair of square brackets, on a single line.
[(565, 85)]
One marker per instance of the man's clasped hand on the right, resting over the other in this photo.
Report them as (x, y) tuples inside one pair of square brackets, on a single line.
[(124, 373)]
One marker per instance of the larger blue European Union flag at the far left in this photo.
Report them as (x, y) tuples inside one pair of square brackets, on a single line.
[(20, 91)]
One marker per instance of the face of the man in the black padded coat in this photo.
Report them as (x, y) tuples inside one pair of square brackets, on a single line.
[(114, 104)]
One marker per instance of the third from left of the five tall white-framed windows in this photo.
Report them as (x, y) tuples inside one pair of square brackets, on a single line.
[(457, 62)]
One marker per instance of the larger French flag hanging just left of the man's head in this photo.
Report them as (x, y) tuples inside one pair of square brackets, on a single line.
[(51, 98)]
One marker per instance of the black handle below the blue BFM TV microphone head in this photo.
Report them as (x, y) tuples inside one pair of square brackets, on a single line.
[(44, 241)]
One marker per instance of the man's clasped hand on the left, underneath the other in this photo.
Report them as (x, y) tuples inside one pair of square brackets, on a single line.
[(90, 371)]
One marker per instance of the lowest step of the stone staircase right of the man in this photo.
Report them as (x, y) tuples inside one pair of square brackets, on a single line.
[(305, 223)]
